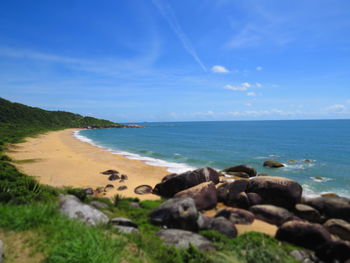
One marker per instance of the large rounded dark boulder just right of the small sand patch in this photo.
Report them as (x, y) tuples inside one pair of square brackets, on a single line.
[(303, 234)]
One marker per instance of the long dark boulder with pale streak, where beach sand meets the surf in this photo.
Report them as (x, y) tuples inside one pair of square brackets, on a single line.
[(170, 187)]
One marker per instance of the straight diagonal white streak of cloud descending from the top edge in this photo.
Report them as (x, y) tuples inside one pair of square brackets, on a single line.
[(167, 12)]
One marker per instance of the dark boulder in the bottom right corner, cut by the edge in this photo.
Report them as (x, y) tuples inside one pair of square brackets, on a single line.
[(334, 251)]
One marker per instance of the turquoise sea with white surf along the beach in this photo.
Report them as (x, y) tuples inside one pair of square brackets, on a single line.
[(185, 145)]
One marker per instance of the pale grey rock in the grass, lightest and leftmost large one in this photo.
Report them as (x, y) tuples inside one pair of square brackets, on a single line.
[(71, 207)]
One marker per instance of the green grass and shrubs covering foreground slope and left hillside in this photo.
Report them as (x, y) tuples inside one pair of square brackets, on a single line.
[(28, 207)]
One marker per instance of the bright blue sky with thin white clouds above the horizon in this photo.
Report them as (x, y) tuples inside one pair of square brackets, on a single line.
[(178, 60)]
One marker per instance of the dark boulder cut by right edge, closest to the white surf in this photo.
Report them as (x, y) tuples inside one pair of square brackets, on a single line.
[(331, 206)]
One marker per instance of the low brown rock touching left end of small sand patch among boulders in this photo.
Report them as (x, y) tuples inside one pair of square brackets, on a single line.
[(236, 215)]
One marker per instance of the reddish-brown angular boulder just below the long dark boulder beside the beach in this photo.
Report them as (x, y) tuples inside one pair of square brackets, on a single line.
[(204, 195)]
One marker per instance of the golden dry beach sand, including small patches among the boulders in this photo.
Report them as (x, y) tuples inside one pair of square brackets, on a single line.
[(59, 159)]
